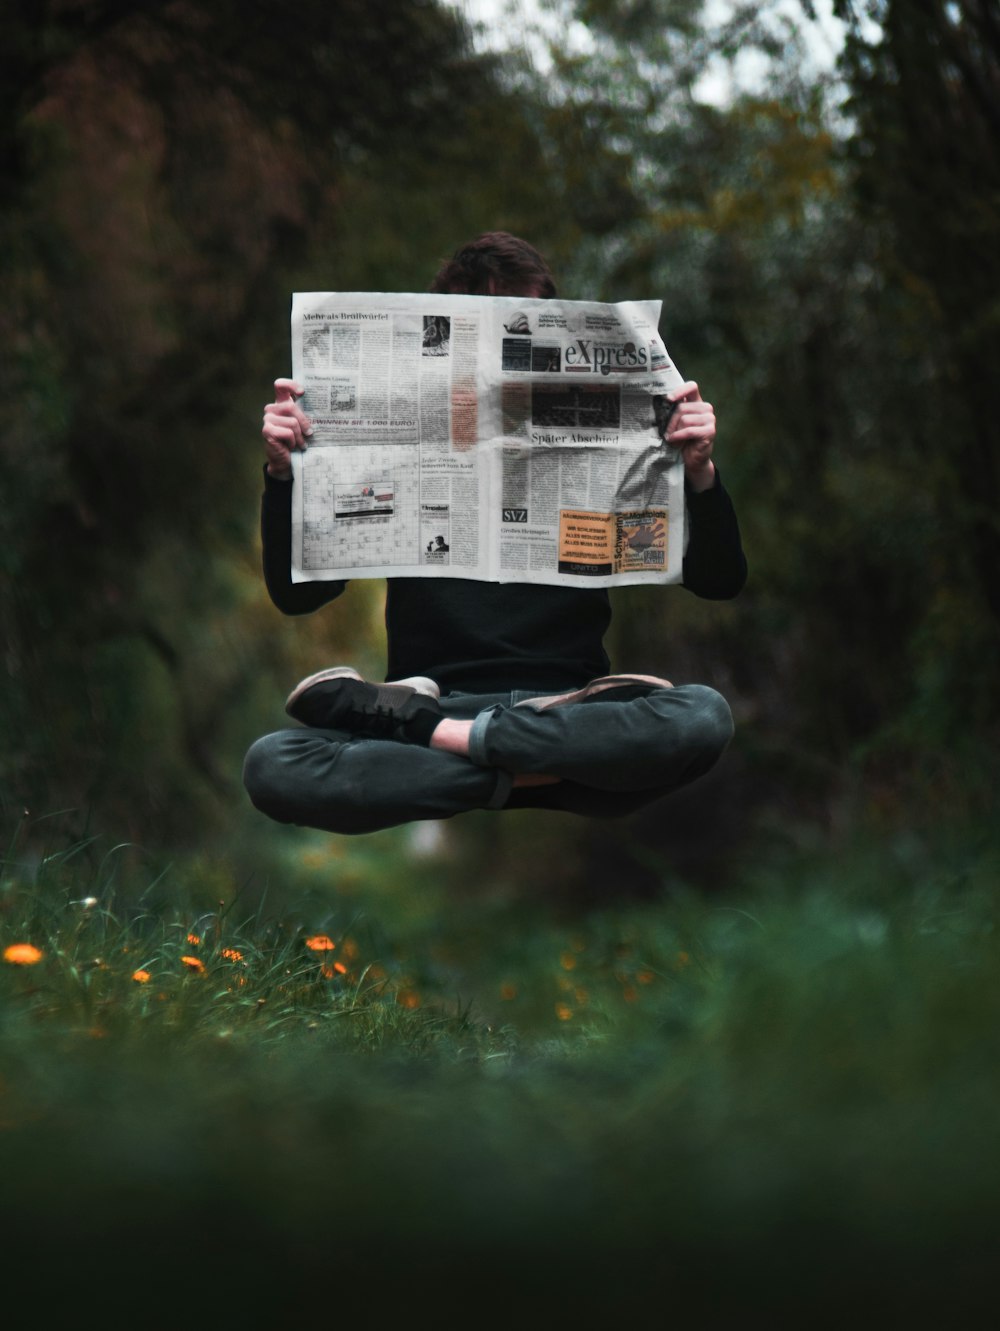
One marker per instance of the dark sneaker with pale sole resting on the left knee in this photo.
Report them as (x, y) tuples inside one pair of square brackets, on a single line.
[(340, 699)]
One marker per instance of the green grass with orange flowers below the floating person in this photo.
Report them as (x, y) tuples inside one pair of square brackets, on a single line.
[(777, 1099)]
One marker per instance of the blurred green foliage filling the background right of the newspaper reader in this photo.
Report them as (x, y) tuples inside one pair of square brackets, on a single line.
[(836, 337)]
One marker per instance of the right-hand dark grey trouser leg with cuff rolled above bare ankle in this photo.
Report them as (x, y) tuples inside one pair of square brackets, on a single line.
[(613, 757)]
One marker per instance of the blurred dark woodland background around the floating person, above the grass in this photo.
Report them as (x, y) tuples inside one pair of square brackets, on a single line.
[(813, 192)]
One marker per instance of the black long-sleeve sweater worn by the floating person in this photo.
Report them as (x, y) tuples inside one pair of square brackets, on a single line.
[(493, 637)]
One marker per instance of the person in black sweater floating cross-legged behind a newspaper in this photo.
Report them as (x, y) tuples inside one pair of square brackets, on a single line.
[(496, 695)]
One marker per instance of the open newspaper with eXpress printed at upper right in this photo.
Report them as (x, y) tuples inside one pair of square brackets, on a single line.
[(493, 439)]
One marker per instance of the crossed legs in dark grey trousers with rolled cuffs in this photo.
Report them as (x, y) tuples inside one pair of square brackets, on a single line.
[(603, 759)]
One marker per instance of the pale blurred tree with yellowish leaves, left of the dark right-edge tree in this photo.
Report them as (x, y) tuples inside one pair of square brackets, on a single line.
[(738, 216)]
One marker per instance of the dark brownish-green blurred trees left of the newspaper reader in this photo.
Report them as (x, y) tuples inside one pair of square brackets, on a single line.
[(170, 172)]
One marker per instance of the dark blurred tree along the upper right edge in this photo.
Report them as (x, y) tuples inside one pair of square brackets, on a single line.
[(926, 104)]
